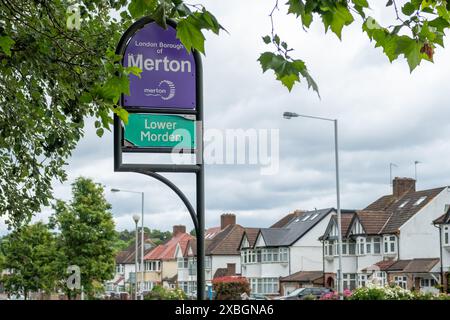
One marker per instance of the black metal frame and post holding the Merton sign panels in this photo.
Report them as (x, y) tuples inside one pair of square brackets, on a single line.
[(154, 170)]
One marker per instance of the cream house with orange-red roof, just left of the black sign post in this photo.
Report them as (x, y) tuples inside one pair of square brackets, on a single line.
[(161, 262)]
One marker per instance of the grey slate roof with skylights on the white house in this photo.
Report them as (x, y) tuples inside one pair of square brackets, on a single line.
[(294, 230)]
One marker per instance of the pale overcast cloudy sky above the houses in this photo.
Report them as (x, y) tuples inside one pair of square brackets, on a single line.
[(385, 115)]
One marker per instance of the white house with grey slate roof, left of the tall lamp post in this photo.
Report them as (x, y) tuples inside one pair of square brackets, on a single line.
[(290, 247)]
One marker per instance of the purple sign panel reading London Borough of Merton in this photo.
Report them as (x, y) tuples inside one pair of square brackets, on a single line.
[(168, 70)]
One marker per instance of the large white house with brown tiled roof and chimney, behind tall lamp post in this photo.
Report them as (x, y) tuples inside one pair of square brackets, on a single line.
[(391, 240)]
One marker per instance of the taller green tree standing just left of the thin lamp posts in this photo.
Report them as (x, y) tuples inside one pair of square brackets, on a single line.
[(86, 236)]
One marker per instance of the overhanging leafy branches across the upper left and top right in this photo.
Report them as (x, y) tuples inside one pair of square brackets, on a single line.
[(55, 72)]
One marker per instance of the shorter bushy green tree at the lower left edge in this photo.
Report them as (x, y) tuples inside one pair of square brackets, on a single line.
[(30, 253)]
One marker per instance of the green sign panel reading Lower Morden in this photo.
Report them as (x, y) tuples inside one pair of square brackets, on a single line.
[(146, 130)]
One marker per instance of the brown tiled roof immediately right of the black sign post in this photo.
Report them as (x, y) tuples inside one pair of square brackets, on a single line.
[(227, 241)]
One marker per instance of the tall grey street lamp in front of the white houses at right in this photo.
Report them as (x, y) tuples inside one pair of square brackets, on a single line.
[(289, 115)]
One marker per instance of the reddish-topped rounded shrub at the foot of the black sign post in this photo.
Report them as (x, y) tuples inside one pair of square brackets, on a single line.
[(230, 288)]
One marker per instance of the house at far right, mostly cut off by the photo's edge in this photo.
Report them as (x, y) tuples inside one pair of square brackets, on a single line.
[(443, 223)]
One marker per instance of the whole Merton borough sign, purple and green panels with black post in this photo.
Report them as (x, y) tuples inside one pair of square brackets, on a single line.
[(165, 109)]
